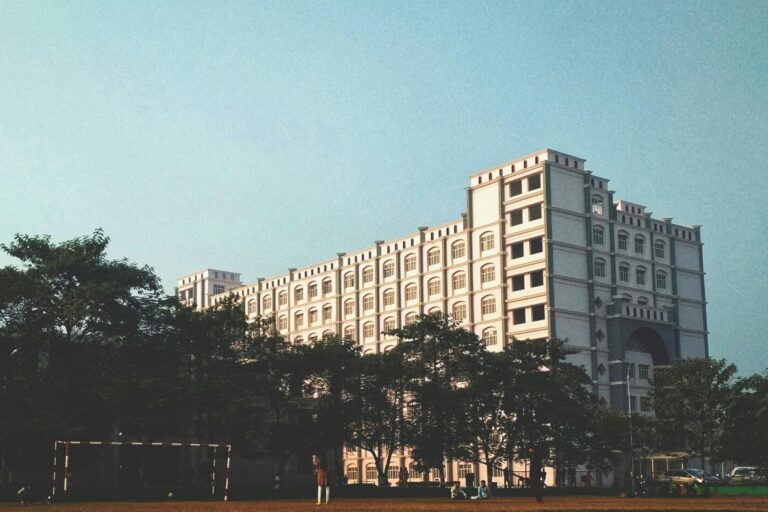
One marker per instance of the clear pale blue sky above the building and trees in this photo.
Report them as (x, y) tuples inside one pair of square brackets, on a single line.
[(258, 136)]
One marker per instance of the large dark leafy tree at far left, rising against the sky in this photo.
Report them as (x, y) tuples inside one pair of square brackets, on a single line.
[(66, 310)]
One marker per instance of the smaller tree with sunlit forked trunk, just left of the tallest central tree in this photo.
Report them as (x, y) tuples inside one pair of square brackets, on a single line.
[(377, 425)]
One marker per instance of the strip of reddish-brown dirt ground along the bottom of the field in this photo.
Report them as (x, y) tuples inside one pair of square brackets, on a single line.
[(580, 503)]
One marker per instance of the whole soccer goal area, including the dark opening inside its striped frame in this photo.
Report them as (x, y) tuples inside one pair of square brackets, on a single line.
[(140, 470)]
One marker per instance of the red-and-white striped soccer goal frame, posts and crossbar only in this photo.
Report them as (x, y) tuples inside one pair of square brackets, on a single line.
[(61, 477)]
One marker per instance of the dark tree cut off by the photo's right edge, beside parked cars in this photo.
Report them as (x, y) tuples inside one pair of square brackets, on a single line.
[(747, 421)]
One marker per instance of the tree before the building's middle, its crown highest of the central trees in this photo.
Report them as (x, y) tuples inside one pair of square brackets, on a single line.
[(440, 357)]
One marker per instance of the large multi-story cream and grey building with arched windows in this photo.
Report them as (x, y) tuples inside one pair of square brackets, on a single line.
[(543, 250)]
